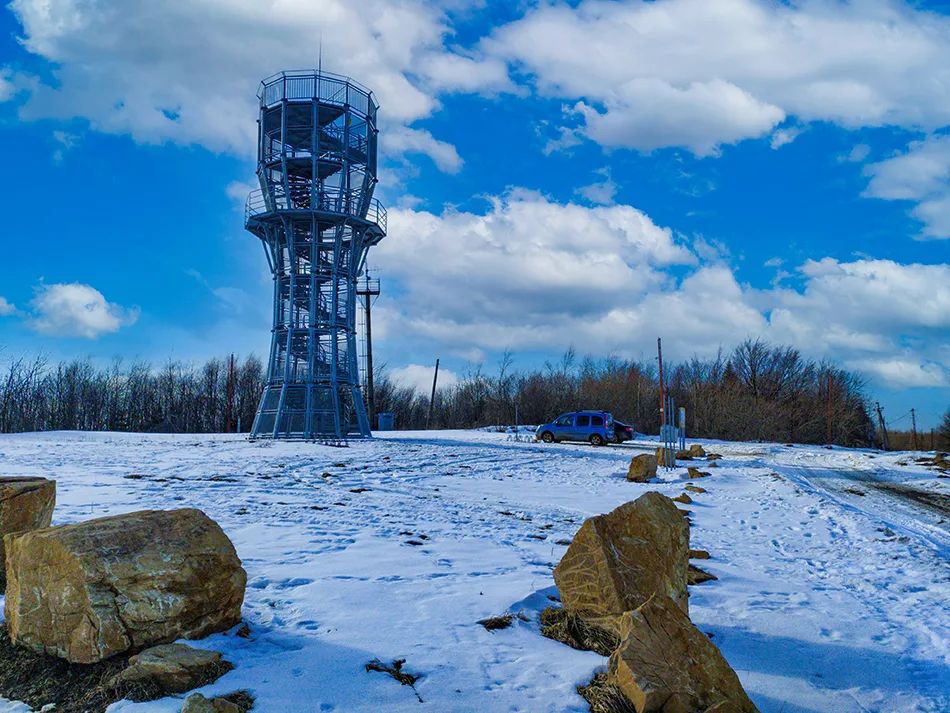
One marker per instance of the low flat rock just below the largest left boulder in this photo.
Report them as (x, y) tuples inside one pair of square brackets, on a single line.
[(176, 668)]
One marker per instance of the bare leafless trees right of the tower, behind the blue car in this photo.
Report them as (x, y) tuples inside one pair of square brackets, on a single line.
[(756, 392)]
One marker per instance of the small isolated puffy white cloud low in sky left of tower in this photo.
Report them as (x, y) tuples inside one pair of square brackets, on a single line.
[(76, 310)]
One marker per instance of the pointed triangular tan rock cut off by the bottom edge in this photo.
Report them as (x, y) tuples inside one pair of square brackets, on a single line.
[(666, 665)]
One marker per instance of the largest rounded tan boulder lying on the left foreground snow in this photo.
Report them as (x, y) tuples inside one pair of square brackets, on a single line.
[(89, 591)]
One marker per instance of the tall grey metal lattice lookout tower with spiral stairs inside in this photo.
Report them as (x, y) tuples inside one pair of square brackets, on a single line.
[(317, 217)]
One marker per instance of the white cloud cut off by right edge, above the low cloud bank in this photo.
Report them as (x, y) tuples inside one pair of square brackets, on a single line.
[(921, 175)]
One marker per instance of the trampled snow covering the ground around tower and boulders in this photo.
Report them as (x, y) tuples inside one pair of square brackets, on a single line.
[(827, 600)]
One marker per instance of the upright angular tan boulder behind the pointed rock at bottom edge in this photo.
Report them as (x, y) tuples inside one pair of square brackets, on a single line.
[(617, 561)]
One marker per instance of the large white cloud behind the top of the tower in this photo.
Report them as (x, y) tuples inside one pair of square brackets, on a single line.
[(187, 72)]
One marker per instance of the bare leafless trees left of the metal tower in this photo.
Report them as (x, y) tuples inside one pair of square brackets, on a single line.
[(218, 396)]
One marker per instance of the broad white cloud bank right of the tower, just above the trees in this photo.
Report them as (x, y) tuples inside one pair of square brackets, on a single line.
[(533, 275)]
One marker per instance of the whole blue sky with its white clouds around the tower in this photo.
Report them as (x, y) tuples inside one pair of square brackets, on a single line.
[(593, 174)]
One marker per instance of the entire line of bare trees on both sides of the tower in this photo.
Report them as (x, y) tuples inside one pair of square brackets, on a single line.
[(756, 392)]
